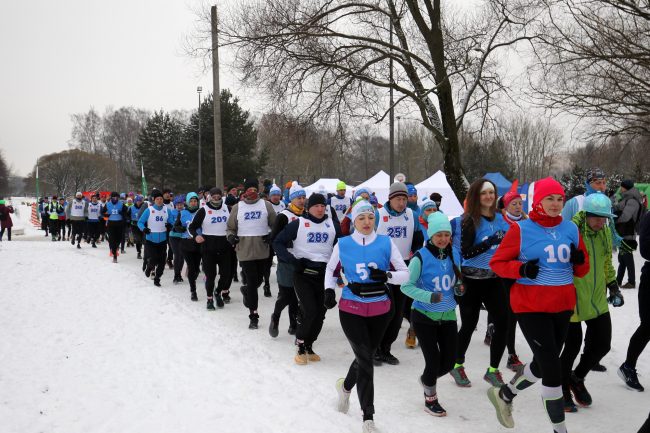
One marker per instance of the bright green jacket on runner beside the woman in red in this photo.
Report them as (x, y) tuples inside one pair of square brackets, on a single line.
[(591, 290)]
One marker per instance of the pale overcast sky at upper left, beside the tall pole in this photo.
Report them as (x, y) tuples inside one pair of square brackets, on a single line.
[(62, 57)]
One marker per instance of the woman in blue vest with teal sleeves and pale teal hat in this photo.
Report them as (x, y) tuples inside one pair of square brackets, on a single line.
[(433, 282)]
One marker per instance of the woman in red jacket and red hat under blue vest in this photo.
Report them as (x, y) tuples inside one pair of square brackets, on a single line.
[(542, 253)]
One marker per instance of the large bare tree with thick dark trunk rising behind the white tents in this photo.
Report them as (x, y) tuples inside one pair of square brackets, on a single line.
[(332, 58)]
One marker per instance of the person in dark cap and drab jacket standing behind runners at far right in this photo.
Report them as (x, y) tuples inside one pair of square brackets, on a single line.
[(629, 211)]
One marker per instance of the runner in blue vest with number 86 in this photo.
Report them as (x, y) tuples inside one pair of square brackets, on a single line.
[(153, 223)]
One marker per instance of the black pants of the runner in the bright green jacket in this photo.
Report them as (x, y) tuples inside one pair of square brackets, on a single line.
[(597, 344)]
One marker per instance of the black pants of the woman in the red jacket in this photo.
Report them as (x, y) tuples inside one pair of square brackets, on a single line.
[(545, 334)]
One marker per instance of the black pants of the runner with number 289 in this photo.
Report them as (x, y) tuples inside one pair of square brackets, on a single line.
[(310, 291)]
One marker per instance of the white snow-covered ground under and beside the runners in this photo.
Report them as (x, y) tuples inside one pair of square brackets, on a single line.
[(91, 346)]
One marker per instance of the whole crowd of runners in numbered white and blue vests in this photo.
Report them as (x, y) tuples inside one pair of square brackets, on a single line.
[(547, 271)]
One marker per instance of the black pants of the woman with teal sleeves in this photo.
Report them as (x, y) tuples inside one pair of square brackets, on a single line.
[(438, 340)]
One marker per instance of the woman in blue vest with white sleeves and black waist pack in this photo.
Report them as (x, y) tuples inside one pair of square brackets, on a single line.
[(365, 309)]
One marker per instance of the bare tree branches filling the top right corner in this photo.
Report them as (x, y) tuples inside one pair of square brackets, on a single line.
[(594, 62)]
